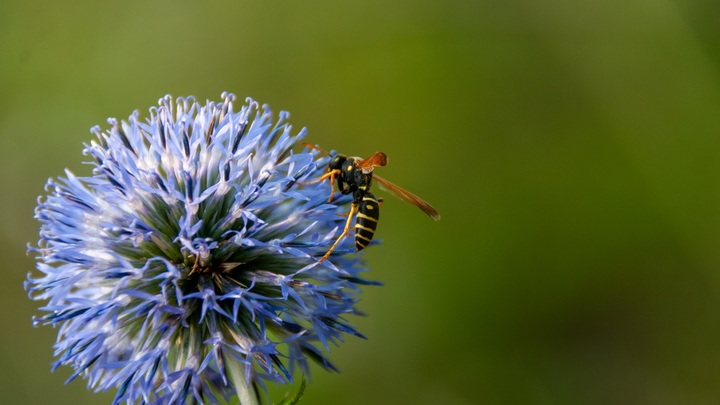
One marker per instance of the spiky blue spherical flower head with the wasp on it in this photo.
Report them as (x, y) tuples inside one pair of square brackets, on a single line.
[(186, 267)]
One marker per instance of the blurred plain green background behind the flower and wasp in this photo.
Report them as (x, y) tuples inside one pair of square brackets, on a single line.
[(571, 147)]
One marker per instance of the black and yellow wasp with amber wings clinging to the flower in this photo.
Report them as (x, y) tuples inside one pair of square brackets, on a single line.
[(354, 175)]
